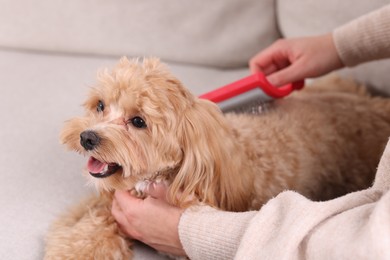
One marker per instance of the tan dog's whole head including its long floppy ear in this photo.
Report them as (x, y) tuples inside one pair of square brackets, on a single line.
[(142, 124)]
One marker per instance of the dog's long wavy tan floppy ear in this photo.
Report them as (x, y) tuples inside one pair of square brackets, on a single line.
[(210, 170)]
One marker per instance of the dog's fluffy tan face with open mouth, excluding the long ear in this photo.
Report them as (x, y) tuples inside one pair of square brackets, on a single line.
[(130, 129)]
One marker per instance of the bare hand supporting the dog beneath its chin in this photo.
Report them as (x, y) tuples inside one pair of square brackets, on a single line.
[(151, 220)]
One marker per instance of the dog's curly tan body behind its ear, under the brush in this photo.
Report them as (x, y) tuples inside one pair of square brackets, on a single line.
[(321, 143)]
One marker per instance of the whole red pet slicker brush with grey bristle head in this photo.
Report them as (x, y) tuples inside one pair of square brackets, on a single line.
[(248, 93)]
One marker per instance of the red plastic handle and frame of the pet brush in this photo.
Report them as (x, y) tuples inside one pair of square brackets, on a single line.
[(248, 83)]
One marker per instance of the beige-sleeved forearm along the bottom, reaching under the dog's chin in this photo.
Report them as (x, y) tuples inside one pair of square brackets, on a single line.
[(289, 227)]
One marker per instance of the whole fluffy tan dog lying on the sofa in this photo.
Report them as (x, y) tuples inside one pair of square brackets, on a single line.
[(142, 125)]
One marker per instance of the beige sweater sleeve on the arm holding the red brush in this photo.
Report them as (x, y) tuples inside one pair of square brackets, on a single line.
[(365, 39)]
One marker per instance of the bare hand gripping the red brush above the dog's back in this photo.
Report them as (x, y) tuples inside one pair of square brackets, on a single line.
[(290, 60)]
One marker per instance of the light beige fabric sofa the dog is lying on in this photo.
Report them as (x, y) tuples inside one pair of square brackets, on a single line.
[(51, 50)]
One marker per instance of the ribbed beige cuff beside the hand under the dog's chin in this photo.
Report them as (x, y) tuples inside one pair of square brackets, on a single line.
[(207, 233)]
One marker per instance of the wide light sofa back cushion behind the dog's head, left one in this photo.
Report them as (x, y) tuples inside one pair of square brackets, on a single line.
[(221, 33)]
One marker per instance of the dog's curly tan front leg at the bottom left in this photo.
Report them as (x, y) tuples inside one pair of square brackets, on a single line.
[(88, 231)]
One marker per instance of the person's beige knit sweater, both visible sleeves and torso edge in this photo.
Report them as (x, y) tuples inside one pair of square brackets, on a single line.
[(355, 226)]
